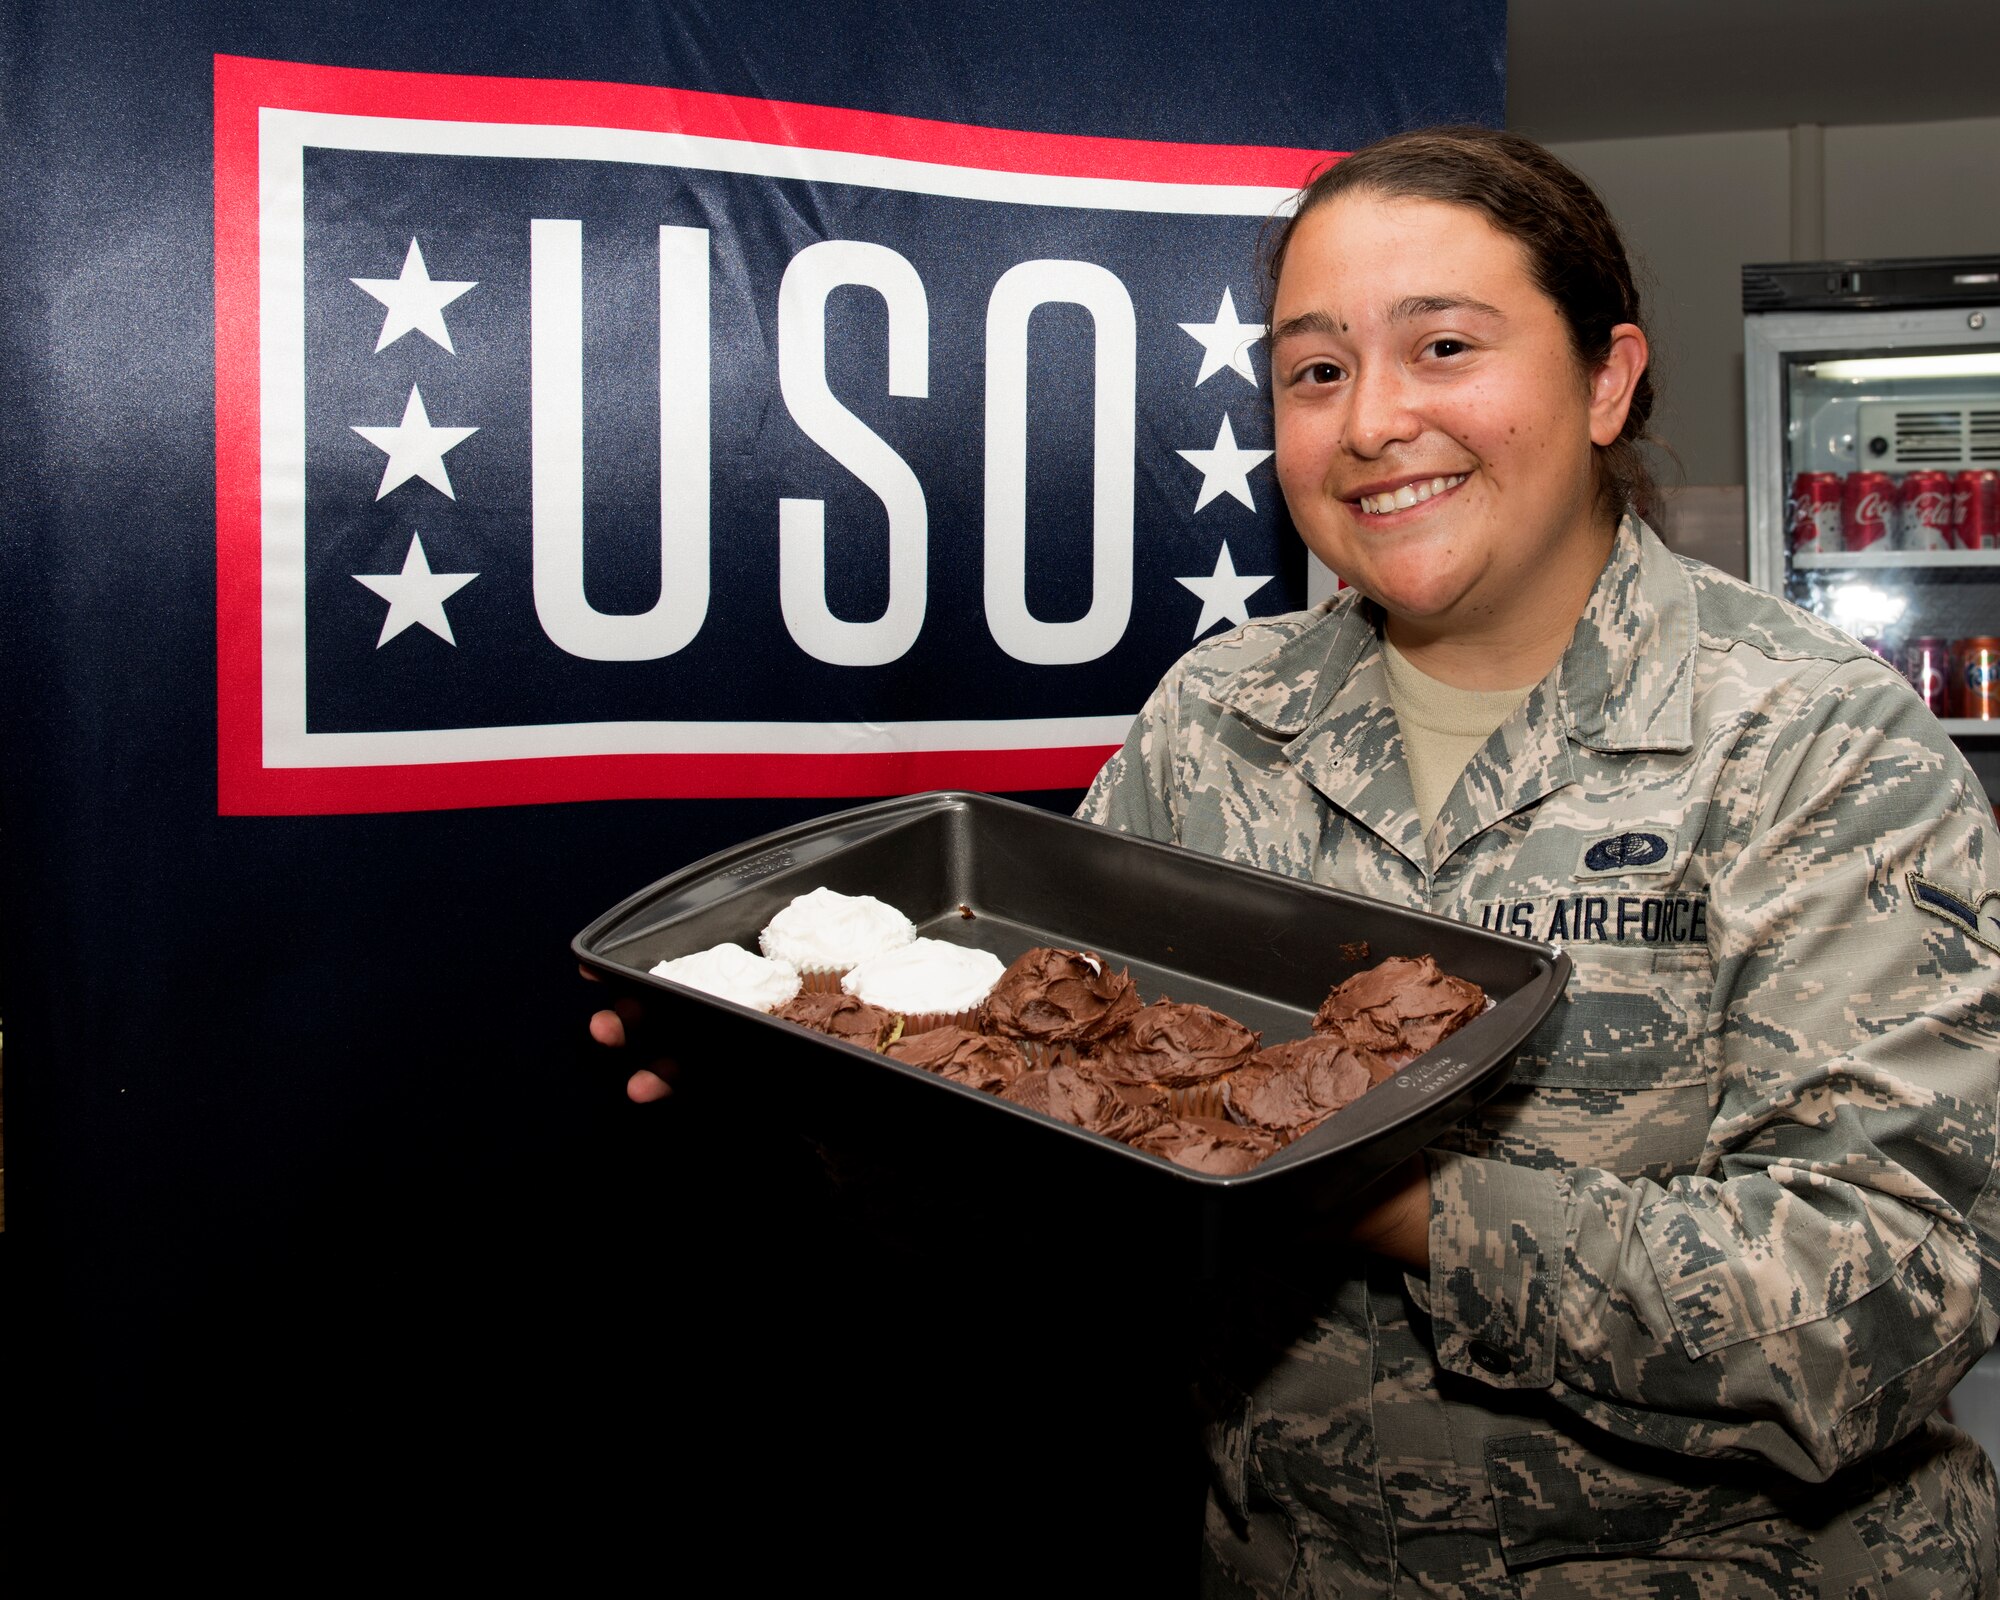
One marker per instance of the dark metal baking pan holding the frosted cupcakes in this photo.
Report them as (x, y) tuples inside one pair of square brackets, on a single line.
[(1007, 877)]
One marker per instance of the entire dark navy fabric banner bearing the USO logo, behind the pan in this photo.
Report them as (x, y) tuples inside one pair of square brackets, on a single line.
[(465, 463)]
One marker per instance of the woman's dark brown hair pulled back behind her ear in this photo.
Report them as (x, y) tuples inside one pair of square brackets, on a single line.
[(1569, 237)]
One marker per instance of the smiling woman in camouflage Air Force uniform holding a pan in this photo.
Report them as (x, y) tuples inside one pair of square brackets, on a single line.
[(1677, 1311)]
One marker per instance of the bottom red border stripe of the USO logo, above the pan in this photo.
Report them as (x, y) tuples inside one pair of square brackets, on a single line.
[(559, 779)]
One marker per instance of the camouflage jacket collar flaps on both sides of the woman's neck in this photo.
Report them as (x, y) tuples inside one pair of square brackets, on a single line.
[(1627, 681)]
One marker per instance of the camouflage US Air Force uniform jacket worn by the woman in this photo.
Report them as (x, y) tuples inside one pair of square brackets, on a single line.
[(1705, 1271)]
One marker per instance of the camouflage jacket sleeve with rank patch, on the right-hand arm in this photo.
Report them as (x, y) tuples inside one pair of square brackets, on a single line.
[(1831, 1271)]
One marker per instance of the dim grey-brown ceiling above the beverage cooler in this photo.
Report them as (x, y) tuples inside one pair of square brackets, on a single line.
[(1631, 69)]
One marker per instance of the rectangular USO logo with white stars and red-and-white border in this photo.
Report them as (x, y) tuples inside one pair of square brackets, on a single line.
[(589, 441)]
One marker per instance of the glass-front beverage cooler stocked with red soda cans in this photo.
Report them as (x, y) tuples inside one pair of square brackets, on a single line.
[(1873, 417)]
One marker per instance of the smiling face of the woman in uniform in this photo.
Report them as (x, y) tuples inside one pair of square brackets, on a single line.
[(1435, 429)]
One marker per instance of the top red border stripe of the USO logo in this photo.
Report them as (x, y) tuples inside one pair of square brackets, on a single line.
[(649, 109)]
